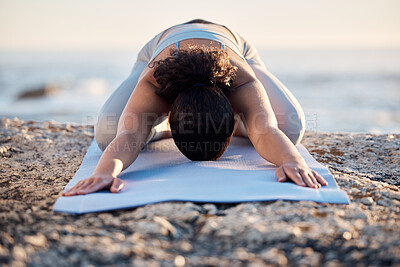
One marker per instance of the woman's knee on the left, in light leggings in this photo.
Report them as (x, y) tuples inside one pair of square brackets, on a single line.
[(105, 129)]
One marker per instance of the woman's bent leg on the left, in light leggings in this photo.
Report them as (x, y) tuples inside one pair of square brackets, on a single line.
[(106, 126)]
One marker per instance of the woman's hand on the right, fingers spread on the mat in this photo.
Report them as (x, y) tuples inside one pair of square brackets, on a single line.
[(300, 174)]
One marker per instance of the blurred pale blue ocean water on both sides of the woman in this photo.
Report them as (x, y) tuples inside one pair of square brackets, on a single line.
[(351, 91)]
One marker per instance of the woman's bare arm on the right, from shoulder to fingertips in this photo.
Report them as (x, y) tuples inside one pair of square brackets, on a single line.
[(250, 100)]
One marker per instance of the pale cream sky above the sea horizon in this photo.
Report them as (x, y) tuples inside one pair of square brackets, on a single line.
[(115, 25)]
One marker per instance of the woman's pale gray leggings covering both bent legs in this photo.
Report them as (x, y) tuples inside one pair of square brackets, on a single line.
[(288, 112)]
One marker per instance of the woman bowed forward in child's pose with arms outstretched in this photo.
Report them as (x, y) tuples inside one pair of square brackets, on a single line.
[(208, 83)]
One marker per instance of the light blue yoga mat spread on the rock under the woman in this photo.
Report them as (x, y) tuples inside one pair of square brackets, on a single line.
[(161, 173)]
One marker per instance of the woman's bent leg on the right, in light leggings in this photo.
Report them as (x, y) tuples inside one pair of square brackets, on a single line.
[(288, 112)]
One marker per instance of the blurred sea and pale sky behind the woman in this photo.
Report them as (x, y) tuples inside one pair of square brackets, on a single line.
[(60, 60)]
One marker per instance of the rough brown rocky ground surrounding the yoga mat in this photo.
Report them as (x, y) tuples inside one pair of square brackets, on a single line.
[(38, 159)]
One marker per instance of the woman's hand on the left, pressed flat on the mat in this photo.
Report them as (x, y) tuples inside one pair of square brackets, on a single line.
[(95, 183)]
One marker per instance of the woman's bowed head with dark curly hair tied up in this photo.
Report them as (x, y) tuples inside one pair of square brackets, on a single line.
[(196, 82)]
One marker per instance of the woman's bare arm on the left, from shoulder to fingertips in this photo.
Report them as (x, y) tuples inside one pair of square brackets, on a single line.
[(134, 126)]
